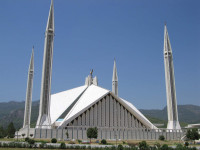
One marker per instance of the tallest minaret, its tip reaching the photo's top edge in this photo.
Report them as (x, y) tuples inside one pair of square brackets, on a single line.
[(44, 120)]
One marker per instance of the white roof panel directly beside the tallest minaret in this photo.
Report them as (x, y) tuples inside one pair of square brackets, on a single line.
[(61, 101)]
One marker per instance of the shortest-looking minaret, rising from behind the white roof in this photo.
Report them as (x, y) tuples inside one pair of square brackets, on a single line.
[(115, 80)]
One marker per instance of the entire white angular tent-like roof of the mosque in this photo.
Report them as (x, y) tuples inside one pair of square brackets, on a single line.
[(84, 97)]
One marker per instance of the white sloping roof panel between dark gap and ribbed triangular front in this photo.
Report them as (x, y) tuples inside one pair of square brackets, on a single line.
[(89, 97)]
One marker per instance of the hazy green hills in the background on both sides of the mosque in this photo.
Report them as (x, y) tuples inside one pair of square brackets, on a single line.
[(14, 112)]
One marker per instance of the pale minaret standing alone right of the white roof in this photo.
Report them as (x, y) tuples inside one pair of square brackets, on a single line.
[(173, 122)]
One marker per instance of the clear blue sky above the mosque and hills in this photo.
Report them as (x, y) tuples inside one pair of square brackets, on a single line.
[(90, 33)]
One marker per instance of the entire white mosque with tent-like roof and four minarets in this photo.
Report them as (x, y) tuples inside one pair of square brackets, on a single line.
[(90, 105)]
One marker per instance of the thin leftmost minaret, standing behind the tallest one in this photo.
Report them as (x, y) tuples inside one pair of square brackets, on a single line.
[(28, 102)]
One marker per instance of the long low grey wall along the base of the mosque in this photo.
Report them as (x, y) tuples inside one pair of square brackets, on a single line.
[(109, 133)]
